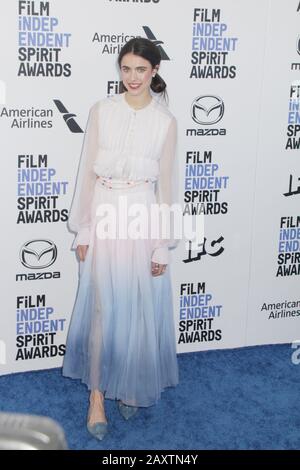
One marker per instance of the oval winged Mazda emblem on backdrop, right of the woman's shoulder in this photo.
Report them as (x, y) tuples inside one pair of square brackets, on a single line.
[(207, 109)]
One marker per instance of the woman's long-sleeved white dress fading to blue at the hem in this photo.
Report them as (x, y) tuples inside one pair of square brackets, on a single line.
[(121, 338)]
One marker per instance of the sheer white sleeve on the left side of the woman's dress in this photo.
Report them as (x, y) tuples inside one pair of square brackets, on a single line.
[(79, 217)]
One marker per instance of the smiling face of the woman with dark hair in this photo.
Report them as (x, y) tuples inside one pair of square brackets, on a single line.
[(136, 74)]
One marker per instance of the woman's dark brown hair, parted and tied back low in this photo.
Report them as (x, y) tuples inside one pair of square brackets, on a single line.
[(145, 48)]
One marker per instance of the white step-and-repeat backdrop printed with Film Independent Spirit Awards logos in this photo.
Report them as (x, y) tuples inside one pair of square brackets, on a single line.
[(232, 68)]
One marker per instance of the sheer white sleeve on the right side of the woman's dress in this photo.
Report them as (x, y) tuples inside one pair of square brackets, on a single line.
[(167, 191)]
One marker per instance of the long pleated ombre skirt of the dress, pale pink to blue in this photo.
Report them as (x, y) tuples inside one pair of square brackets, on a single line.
[(121, 337)]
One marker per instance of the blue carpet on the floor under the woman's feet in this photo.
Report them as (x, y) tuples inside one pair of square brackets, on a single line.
[(244, 398)]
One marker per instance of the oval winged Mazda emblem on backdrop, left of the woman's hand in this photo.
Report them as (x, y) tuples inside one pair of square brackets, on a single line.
[(38, 254)]
